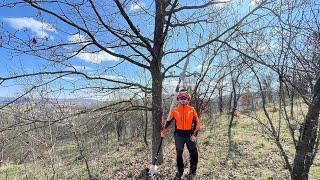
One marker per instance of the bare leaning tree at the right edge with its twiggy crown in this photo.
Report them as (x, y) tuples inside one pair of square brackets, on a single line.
[(294, 59)]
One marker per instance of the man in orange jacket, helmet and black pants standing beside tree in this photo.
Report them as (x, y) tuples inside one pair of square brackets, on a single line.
[(186, 129)]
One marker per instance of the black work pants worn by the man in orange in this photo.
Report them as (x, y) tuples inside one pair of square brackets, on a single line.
[(192, 148)]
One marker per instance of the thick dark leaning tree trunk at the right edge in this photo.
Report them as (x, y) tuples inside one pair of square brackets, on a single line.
[(305, 151)]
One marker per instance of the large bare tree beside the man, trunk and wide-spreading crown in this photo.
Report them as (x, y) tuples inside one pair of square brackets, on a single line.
[(111, 28)]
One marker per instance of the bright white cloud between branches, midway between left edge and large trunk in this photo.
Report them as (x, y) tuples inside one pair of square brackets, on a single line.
[(97, 57)]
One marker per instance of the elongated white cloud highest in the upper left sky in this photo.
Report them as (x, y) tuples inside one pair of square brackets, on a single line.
[(39, 28)]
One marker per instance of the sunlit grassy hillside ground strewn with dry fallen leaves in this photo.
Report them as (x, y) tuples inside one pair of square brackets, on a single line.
[(251, 156)]
